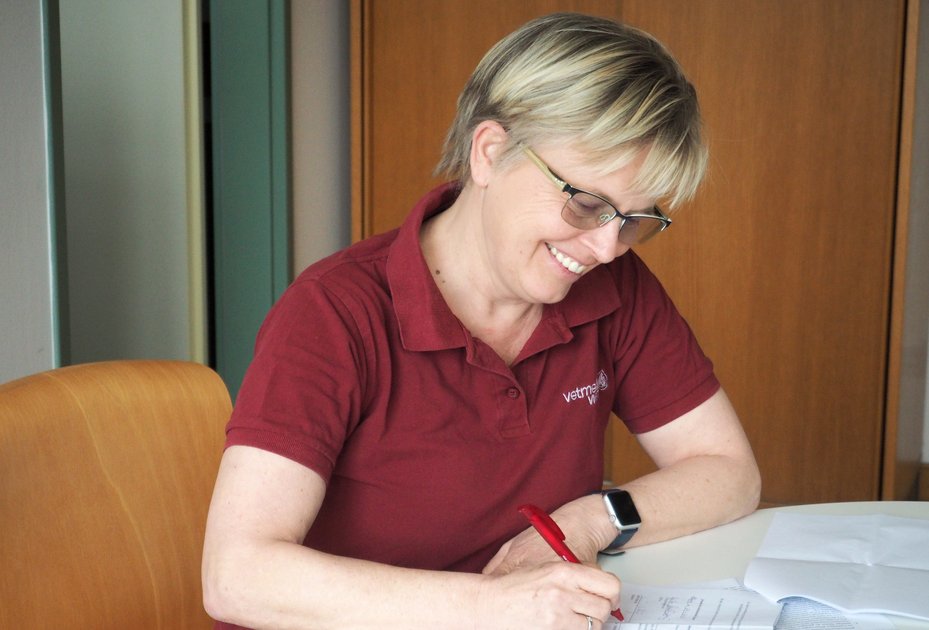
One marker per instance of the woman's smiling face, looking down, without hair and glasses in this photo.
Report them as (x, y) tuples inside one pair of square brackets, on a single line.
[(531, 253)]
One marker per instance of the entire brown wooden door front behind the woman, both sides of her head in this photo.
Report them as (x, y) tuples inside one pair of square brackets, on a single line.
[(781, 265)]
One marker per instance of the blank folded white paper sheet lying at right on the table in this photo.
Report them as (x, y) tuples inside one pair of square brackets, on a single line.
[(854, 563)]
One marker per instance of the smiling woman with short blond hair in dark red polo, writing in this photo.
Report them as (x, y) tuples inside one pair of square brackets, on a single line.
[(408, 394)]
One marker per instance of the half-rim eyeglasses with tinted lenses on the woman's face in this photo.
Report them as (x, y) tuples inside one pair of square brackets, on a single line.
[(587, 211)]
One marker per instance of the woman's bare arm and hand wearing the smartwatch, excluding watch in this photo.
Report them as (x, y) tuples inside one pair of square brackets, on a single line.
[(707, 476)]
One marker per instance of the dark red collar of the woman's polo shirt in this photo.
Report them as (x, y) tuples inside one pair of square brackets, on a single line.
[(426, 322)]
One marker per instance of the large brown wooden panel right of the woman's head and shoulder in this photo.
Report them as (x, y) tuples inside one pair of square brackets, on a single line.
[(782, 265)]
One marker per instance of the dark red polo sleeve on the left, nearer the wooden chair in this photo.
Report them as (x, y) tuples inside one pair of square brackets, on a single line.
[(302, 393)]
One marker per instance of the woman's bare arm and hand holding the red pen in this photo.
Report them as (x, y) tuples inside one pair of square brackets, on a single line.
[(256, 572)]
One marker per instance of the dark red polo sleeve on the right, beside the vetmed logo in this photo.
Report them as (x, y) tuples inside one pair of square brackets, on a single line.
[(661, 371)]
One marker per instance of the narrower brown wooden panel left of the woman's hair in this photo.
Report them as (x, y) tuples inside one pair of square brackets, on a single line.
[(419, 55)]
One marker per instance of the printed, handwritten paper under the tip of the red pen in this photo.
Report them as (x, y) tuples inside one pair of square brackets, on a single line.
[(660, 607)]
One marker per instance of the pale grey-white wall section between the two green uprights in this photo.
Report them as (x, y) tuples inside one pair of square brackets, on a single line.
[(125, 170)]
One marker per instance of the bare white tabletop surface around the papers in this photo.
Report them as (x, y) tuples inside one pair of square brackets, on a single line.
[(725, 551)]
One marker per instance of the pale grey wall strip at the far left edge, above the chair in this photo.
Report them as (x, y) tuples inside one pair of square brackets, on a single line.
[(28, 330)]
